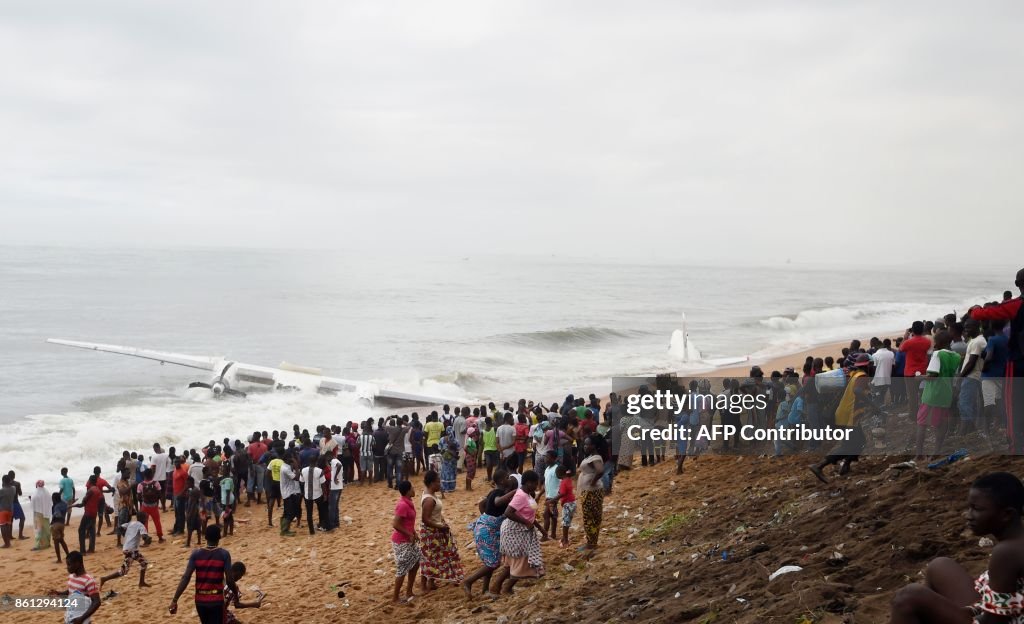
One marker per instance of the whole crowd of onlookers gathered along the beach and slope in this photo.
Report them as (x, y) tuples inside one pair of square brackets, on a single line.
[(957, 376)]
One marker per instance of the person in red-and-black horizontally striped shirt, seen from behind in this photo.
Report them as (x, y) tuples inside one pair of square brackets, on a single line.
[(212, 566)]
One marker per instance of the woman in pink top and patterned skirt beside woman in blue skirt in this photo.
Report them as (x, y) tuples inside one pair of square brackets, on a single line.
[(520, 547)]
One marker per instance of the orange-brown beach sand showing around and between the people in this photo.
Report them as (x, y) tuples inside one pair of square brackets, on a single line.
[(303, 575)]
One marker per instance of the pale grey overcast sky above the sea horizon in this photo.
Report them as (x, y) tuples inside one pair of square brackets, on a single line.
[(707, 132)]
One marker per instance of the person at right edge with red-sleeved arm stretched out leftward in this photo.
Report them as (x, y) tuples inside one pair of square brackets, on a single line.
[(1012, 311)]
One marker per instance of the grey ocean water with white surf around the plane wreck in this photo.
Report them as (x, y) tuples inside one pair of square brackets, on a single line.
[(474, 328)]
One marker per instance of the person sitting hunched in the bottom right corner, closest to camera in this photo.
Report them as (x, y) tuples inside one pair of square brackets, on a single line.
[(949, 596)]
